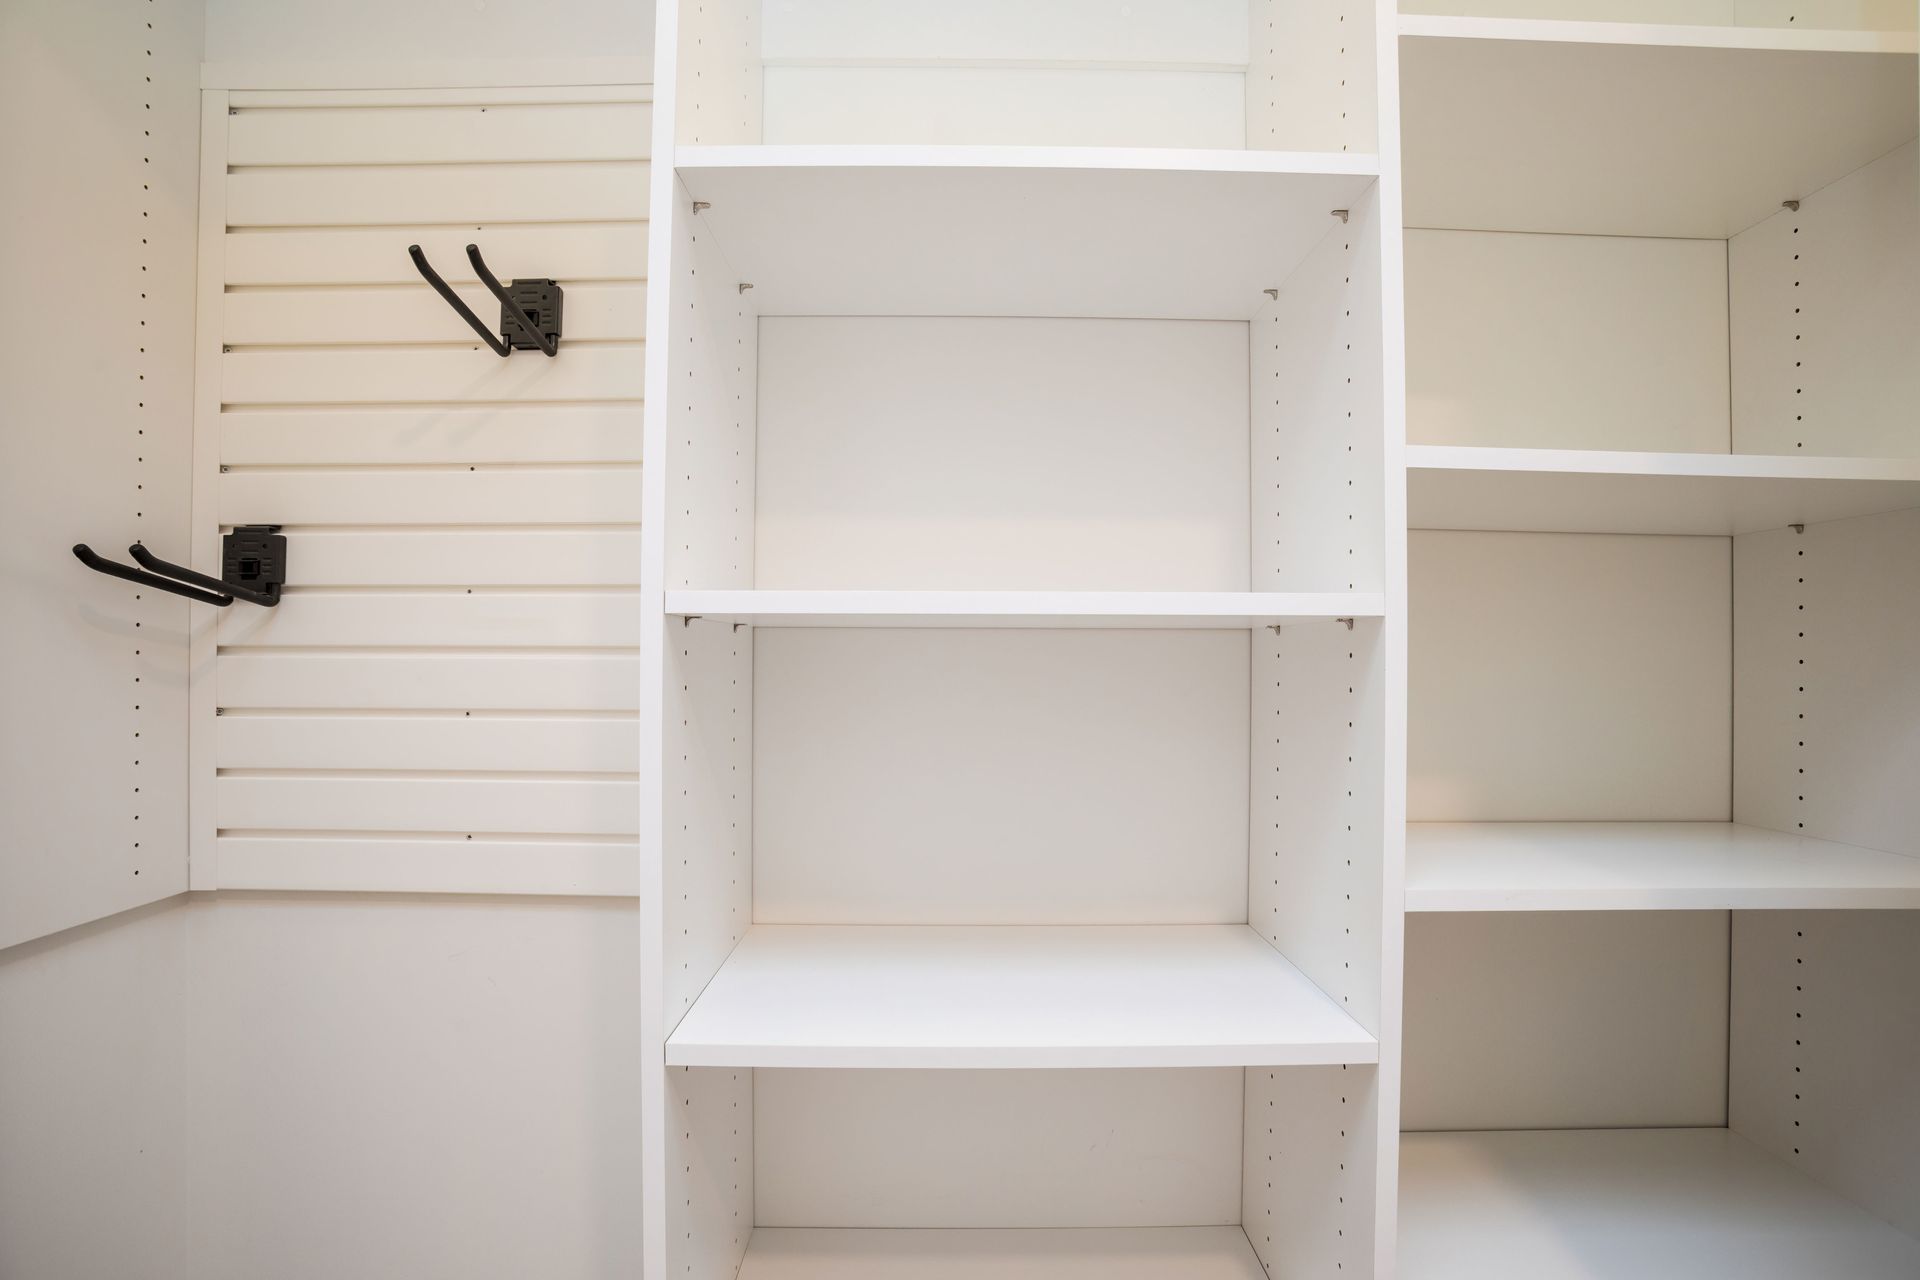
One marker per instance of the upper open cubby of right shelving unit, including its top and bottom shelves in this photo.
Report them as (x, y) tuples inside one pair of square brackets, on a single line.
[(1681, 308)]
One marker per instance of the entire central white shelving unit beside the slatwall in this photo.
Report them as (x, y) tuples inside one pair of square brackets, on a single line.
[(1022, 642)]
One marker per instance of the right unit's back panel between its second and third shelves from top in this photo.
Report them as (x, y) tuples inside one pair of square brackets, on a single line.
[(1570, 678)]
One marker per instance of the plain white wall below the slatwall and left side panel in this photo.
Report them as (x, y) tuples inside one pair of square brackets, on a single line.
[(320, 1087)]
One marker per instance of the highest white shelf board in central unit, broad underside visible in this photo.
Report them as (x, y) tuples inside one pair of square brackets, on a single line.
[(1017, 231)]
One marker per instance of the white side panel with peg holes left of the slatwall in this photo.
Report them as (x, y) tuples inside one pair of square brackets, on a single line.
[(97, 364)]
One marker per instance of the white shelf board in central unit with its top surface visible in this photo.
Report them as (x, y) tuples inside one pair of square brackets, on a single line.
[(1013, 997)]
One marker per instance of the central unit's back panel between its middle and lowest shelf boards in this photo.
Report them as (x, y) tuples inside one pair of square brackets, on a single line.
[(1001, 776)]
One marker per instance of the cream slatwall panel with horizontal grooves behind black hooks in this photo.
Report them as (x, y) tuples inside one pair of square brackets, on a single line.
[(446, 699)]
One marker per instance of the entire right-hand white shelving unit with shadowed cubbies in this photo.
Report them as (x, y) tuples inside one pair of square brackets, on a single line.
[(1662, 859)]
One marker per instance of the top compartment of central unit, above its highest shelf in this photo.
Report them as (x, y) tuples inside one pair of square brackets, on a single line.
[(1140, 74)]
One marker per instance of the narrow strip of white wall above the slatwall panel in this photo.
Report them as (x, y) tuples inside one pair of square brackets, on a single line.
[(427, 30)]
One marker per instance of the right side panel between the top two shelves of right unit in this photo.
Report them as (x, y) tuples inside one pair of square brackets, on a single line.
[(1827, 320)]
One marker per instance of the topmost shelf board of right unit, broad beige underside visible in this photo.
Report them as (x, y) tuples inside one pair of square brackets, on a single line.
[(1623, 130)]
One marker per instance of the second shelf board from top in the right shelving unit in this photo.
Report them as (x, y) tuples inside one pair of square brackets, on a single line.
[(1610, 492)]
